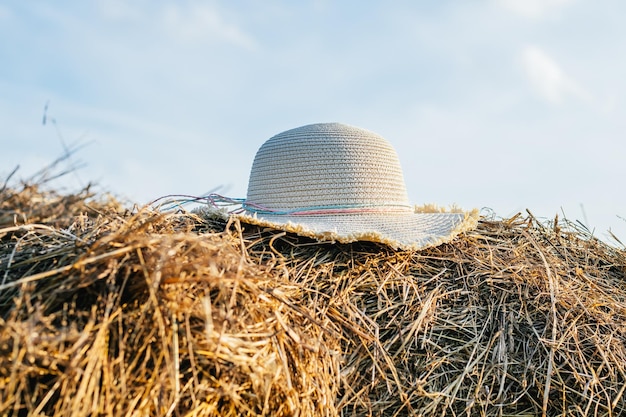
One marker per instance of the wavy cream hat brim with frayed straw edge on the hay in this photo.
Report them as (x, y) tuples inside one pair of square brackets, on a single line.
[(426, 227)]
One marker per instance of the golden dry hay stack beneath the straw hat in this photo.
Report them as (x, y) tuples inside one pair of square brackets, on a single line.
[(104, 311)]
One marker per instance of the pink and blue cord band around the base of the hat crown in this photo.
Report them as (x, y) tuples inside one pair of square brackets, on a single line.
[(328, 209)]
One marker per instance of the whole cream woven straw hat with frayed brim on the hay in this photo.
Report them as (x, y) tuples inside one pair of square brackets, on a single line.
[(340, 183)]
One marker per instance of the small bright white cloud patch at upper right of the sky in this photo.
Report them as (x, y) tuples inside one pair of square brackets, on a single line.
[(548, 78)]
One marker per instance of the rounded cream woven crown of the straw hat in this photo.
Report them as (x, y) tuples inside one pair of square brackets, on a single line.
[(326, 165)]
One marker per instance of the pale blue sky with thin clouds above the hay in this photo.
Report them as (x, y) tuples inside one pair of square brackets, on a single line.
[(506, 104)]
